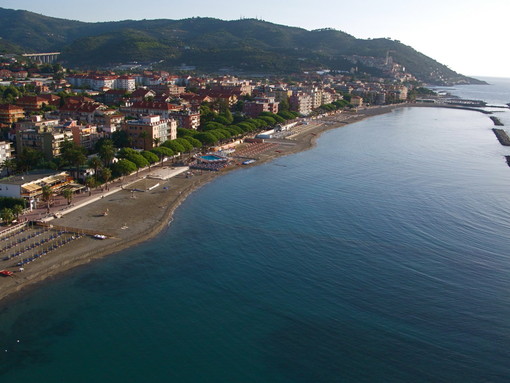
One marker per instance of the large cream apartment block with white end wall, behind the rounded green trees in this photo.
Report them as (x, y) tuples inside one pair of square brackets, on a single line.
[(147, 131)]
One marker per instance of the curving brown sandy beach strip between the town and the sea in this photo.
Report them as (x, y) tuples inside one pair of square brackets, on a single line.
[(136, 216)]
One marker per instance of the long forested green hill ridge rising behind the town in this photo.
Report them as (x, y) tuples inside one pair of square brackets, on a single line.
[(209, 44)]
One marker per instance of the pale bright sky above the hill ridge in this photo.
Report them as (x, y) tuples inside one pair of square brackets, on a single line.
[(469, 36)]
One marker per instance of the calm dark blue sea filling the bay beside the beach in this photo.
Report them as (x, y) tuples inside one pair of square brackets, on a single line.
[(380, 255)]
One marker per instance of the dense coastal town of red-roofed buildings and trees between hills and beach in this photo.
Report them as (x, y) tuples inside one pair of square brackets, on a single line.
[(66, 132)]
